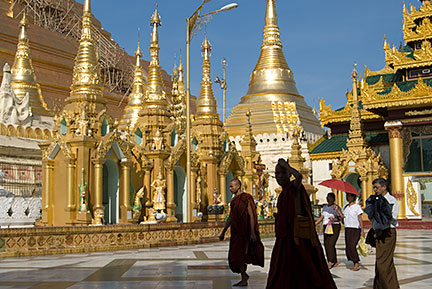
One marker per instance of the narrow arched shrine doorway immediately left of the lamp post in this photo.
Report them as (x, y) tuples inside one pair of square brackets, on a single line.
[(180, 197)]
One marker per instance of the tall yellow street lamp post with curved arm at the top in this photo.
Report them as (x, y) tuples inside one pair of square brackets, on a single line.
[(190, 25)]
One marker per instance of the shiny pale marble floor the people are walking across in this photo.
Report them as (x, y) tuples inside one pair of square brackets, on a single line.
[(199, 266)]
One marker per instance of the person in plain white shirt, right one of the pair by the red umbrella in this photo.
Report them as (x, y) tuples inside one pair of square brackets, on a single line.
[(352, 217)]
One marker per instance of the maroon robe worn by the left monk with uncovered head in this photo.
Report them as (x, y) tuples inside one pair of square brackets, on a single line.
[(241, 250)]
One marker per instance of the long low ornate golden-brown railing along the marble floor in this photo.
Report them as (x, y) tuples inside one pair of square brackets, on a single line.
[(64, 240)]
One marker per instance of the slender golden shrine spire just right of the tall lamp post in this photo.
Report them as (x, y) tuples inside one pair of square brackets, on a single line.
[(206, 105)]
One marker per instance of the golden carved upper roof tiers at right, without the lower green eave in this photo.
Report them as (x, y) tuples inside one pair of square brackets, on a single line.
[(404, 82)]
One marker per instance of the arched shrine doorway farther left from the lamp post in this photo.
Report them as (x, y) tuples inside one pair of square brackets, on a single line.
[(110, 199)]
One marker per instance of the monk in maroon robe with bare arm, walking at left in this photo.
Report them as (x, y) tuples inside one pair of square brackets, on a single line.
[(245, 243)]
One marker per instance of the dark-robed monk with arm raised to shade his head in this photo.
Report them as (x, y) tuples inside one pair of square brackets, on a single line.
[(297, 260)]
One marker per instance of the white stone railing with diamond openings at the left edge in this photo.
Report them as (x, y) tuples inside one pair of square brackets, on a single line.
[(19, 211)]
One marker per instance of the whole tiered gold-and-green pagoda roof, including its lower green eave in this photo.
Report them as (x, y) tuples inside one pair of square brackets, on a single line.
[(401, 90)]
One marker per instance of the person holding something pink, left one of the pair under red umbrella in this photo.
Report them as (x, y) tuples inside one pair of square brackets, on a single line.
[(330, 214)]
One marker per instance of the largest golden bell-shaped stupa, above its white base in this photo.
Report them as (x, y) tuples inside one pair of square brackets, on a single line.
[(272, 97)]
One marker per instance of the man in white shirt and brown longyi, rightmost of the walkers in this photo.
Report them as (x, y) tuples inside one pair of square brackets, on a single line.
[(385, 271)]
